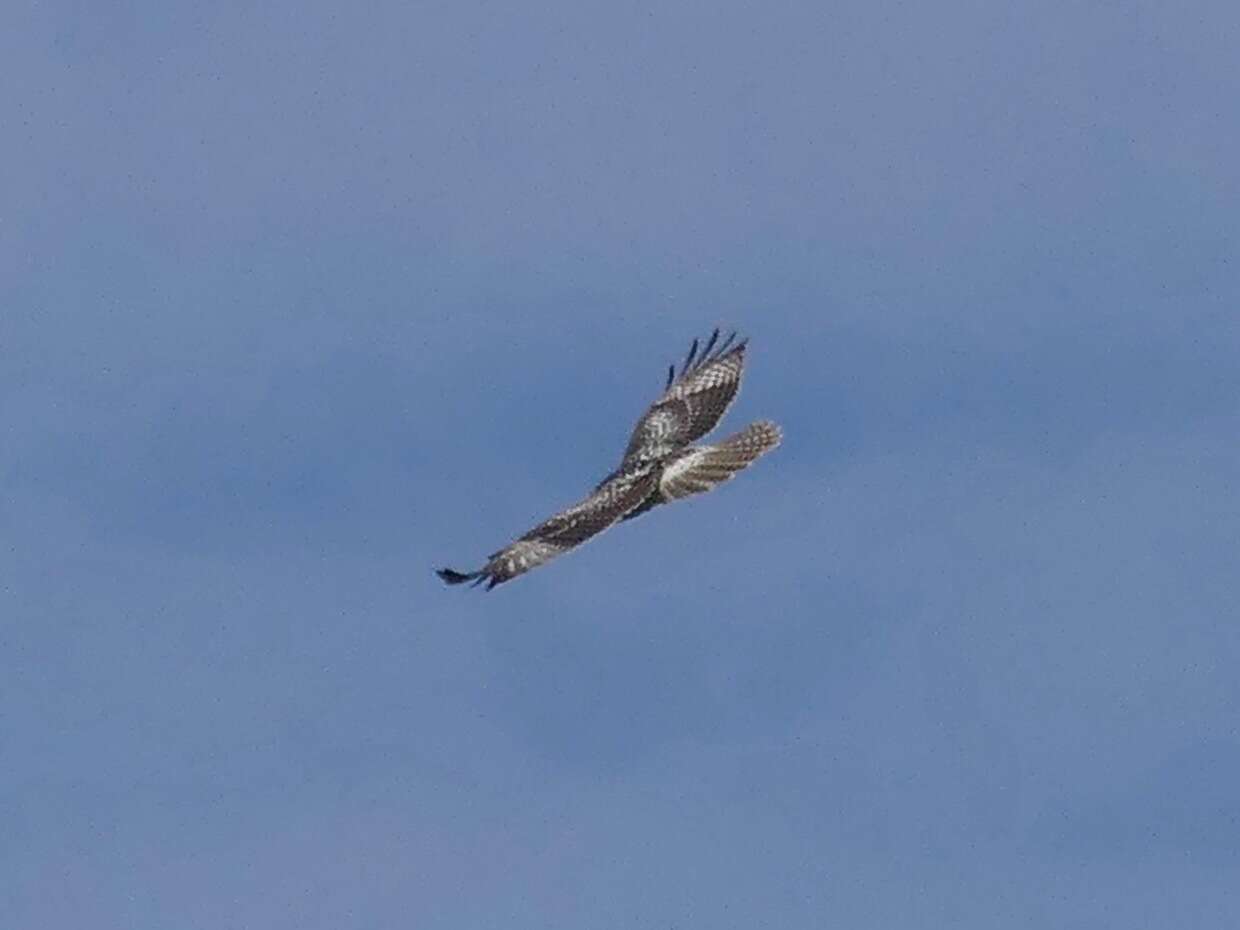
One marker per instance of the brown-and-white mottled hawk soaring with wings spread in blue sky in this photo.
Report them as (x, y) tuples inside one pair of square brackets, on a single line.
[(660, 466)]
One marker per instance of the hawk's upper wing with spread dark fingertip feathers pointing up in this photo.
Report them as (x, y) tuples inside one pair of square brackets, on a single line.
[(693, 404)]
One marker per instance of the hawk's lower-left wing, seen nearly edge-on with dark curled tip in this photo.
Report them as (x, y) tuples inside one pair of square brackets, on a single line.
[(567, 530)]
